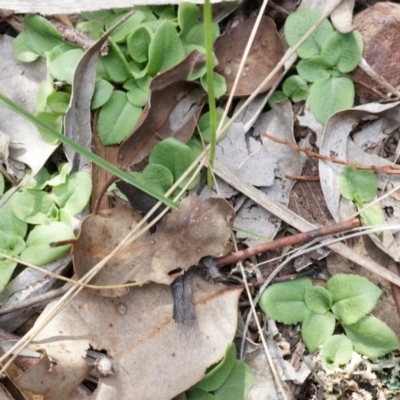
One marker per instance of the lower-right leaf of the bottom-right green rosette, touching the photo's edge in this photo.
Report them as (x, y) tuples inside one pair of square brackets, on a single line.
[(371, 337)]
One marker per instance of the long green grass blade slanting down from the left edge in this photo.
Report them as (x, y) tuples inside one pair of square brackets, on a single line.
[(81, 150)]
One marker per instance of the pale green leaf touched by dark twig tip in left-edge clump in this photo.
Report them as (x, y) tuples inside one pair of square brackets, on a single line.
[(38, 250)]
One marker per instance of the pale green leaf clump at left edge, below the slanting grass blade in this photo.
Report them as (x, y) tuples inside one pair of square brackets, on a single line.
[(38, 214)]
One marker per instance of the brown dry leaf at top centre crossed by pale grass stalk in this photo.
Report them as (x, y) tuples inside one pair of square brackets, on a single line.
[(265, 53)]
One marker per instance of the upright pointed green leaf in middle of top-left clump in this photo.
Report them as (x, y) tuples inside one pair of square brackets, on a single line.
[(166, 49)]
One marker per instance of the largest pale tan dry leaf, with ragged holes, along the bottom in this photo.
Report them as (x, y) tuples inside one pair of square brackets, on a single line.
[(152, 356)]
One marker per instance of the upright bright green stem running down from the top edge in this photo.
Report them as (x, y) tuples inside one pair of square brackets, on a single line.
[(210, 87)]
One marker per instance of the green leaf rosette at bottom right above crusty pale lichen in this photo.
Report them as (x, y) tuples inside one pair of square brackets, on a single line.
[(347, 299)]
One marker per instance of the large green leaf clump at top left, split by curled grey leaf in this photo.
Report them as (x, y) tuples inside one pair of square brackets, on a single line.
[(151, 41)]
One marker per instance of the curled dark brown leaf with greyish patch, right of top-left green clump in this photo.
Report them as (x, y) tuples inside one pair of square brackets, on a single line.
[(172, 111)]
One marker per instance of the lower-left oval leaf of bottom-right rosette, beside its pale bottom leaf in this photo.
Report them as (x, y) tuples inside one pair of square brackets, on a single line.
[(316, 329)]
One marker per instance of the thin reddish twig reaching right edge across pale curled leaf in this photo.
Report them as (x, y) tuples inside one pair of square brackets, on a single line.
[(388, 169)]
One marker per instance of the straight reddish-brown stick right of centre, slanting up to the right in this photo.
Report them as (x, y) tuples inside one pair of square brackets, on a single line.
[(287, 241)]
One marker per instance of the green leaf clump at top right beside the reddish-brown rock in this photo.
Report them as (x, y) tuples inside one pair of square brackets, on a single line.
[(326, 57)]
